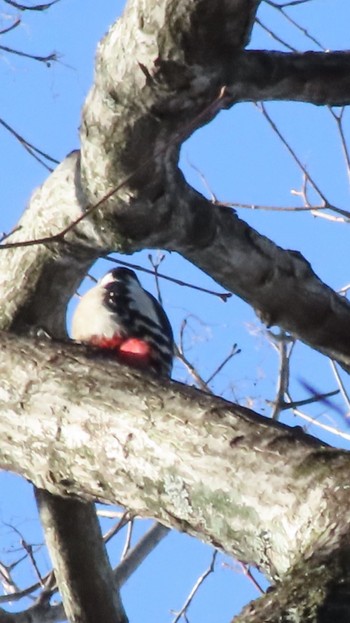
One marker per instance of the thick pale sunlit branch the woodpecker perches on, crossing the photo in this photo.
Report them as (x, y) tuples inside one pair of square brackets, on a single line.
[(178, 455)]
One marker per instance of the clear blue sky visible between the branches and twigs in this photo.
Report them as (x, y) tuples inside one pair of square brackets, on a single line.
[(243, 161)]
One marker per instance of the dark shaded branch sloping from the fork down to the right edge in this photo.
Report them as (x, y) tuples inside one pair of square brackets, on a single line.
[(280, 284)]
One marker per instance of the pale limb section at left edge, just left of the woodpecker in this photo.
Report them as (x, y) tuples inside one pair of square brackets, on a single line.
[(36, 291)]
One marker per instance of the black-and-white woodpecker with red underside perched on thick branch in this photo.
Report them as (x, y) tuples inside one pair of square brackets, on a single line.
[(118, 315)]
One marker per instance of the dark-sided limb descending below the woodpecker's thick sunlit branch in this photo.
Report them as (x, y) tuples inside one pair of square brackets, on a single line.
[(74, 536)]
